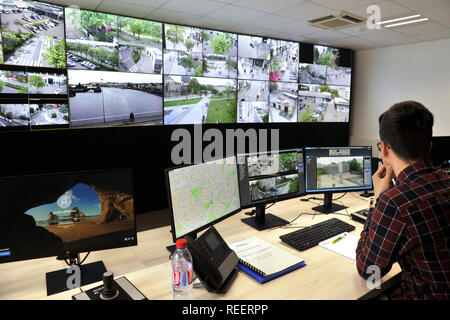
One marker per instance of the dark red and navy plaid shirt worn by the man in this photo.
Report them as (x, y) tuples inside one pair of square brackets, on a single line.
[(410, 224)]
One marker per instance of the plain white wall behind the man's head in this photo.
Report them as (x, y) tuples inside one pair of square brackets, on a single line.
[(386, 76)]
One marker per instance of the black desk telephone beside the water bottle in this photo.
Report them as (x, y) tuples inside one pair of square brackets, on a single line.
[(214, 262)]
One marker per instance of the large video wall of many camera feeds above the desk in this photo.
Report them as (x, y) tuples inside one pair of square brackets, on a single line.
[(71, 68)]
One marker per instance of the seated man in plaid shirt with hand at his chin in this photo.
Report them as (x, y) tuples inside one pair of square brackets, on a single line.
[(410, 221)]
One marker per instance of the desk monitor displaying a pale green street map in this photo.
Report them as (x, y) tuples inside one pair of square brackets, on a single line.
[(201, 195)]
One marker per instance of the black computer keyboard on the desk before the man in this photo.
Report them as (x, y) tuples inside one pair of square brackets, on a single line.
[(311, 236)]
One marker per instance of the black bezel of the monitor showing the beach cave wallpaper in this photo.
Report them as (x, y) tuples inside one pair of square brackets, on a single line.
[(68, 253)]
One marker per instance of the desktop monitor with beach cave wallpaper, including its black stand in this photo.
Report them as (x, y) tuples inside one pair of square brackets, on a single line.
[(65, 214)]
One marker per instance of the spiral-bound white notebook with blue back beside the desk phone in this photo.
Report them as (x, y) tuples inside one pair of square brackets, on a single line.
[(263, 261)]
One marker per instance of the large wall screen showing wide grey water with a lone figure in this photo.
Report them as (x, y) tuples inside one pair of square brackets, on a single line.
[(104, 98)]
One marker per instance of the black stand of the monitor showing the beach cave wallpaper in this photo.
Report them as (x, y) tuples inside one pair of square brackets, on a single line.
[(89, 273)]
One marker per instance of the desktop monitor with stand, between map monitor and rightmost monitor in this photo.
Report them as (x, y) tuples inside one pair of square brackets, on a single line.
[(267, 178)]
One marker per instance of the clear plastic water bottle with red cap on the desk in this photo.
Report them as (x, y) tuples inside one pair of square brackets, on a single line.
[(182, 272)]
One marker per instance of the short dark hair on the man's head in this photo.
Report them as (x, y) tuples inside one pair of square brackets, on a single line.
[(408, 128)]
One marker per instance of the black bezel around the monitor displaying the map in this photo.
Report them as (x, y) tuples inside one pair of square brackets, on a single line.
[(169, 198)]
